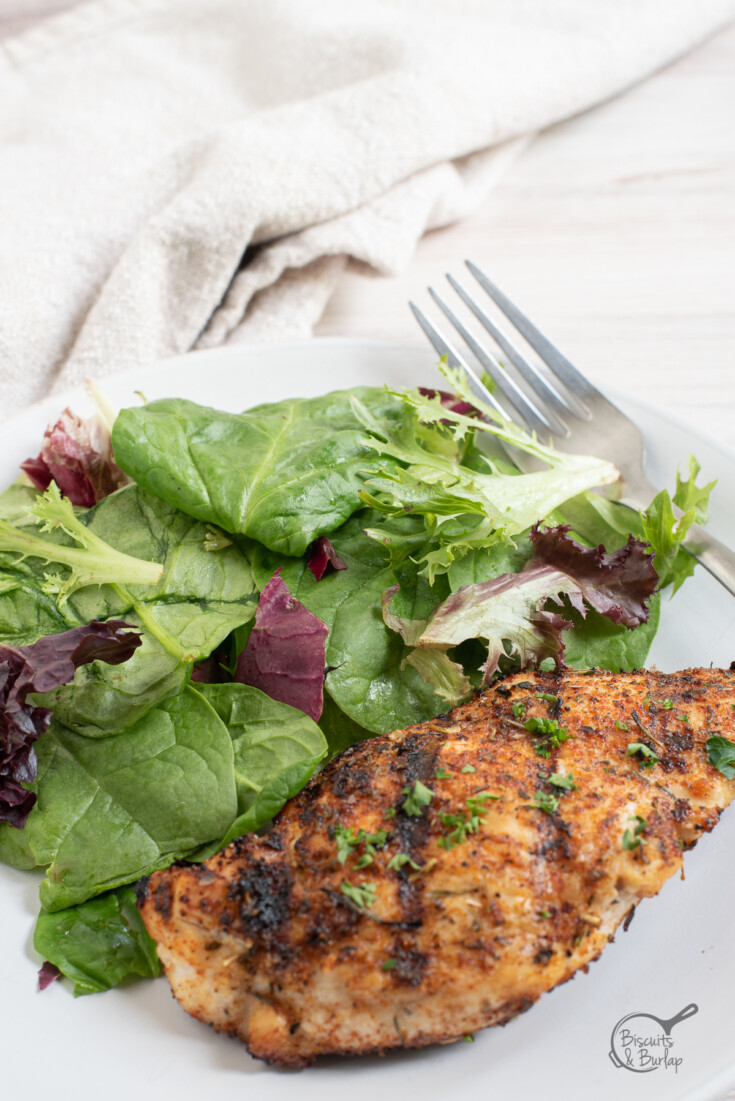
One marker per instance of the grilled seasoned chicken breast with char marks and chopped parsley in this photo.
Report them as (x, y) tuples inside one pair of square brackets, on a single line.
[(440, 879)]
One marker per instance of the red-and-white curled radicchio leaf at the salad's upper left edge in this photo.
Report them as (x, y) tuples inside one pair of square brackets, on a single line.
[(78, 455)]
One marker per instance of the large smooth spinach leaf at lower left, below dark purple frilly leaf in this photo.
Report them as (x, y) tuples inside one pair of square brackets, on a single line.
[(113, 810)]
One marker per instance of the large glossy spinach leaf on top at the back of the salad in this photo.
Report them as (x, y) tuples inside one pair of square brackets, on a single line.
[(283, 474)]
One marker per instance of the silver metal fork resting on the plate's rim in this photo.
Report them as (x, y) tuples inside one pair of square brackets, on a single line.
[(560, 404)]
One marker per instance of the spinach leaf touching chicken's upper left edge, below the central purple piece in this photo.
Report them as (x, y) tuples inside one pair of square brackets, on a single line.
[(277, 750)]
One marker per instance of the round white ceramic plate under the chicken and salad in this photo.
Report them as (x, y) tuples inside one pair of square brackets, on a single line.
[(137, 1043)]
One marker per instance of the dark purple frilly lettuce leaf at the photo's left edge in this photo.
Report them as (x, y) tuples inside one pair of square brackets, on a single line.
[(47, 664)]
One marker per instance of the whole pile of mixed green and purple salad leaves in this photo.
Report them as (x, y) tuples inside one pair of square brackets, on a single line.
[(200, 609)]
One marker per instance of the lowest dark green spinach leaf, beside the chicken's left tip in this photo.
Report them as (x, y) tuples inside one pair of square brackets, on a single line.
[(100, 943)]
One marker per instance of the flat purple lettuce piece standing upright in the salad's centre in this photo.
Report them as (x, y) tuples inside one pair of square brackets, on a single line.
[(286, 655)]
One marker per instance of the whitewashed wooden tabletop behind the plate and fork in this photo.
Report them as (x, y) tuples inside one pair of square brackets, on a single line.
[(616, 232)]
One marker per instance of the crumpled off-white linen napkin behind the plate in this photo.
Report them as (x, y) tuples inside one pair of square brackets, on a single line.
[(181, 173)]
